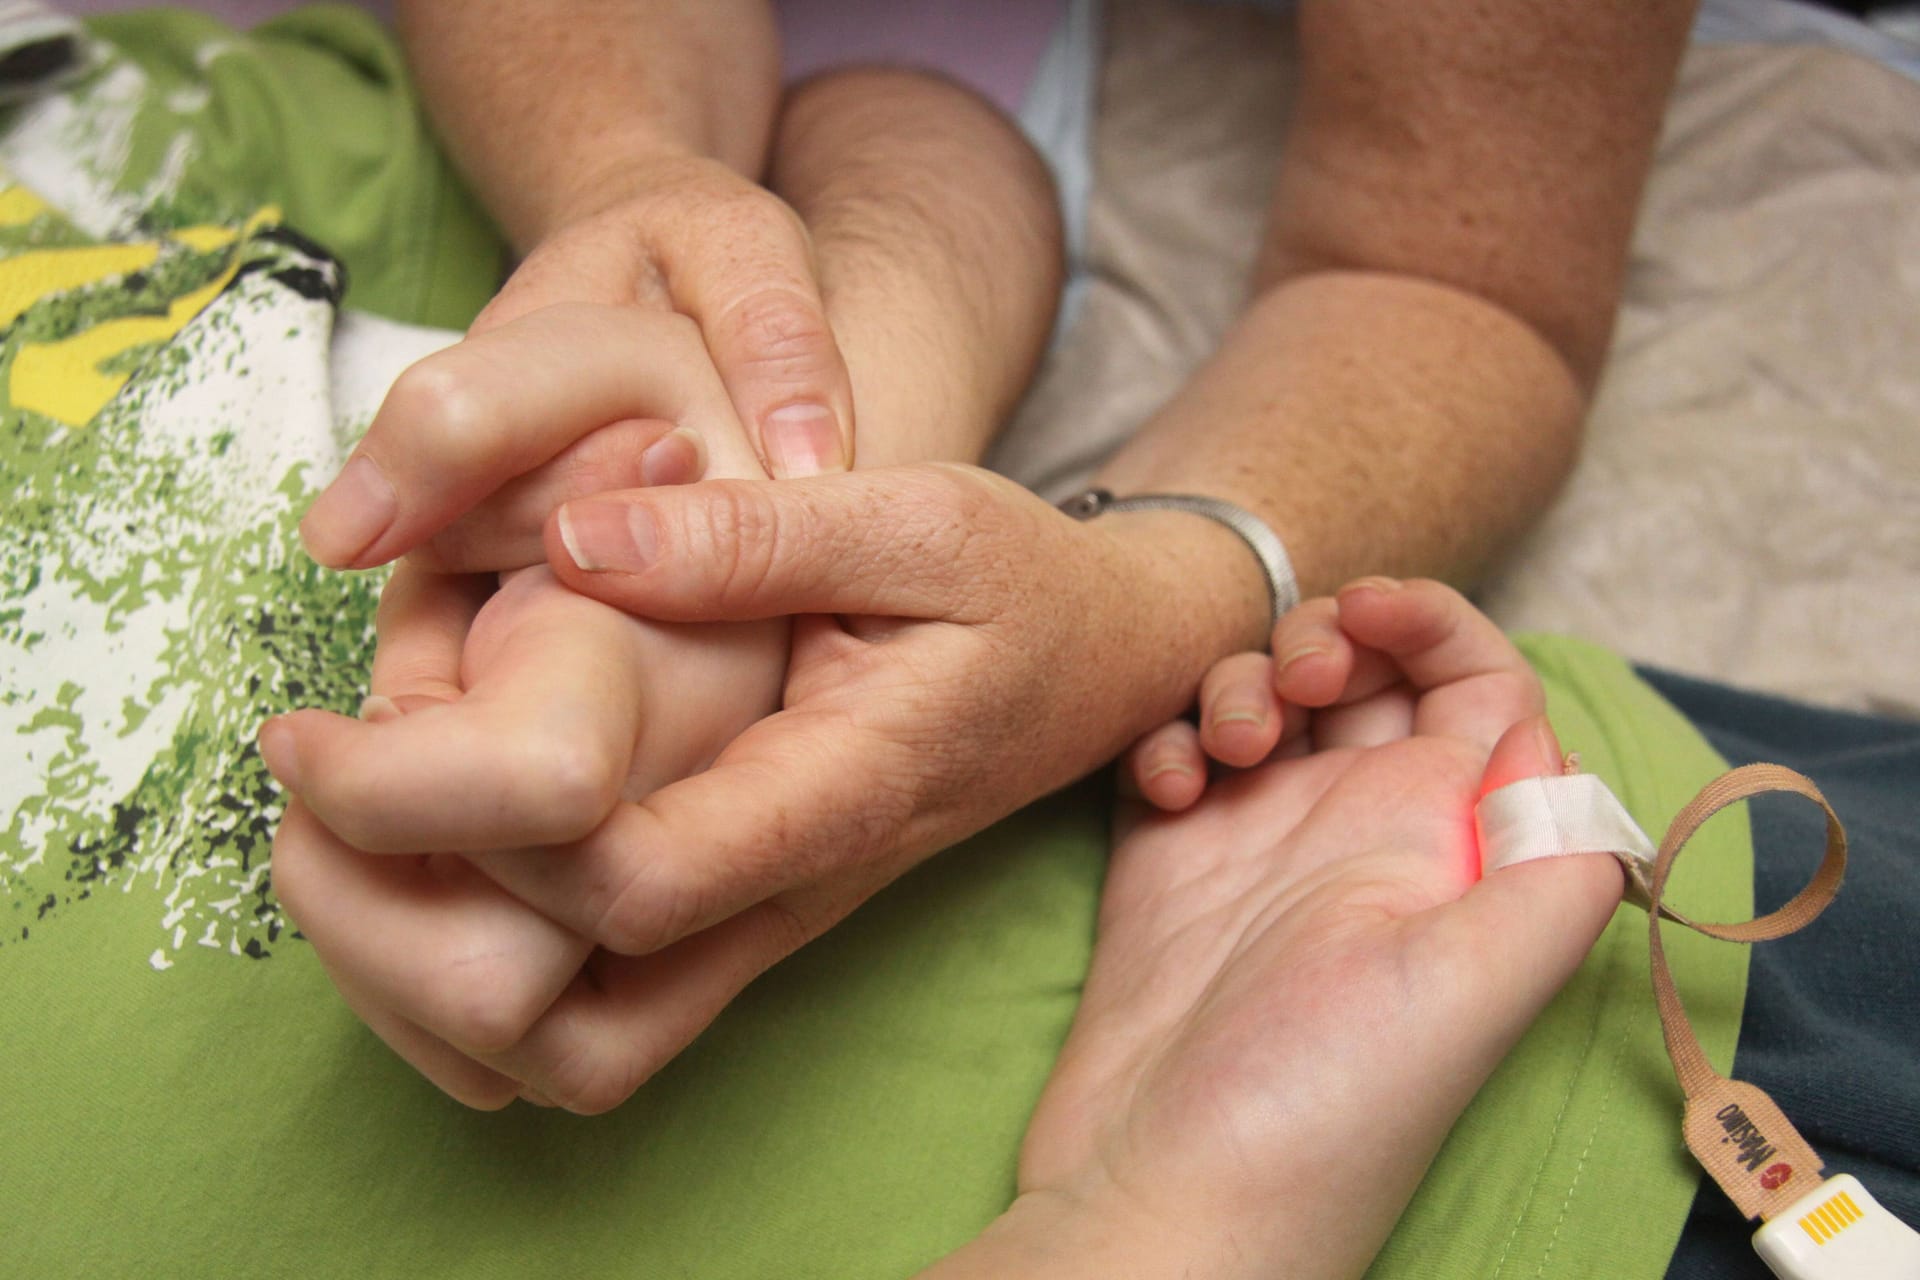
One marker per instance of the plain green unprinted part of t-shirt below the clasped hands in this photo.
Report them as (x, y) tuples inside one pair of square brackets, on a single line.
[(855, 1114)]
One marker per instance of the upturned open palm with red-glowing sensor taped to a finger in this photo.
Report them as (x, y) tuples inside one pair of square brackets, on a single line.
[(1303, 982)]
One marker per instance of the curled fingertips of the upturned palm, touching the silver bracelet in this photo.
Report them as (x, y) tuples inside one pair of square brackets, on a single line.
[(1322, 688)]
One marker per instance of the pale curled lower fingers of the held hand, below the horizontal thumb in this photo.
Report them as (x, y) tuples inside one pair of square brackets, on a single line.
[(531, 719)]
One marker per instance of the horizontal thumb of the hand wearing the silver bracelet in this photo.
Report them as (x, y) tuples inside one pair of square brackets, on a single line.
[(892, 542)]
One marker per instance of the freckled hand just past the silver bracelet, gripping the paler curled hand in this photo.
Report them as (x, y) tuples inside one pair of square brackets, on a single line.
[(984, 642)]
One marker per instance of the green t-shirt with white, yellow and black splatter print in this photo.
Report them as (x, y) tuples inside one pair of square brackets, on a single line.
[(183, 1095)]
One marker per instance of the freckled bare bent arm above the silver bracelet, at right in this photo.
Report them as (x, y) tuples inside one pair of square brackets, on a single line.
[(1437, 291)]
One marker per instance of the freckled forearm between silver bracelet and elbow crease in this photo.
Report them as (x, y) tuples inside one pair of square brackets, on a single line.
[(1380, 425)]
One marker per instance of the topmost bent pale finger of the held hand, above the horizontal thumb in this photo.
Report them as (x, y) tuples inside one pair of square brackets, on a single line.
[(479, 444)]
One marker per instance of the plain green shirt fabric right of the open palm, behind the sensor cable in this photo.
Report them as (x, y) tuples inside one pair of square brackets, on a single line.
[(1570, 1162)]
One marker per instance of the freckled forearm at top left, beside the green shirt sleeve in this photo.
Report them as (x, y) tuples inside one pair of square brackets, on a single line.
[(548, 108)]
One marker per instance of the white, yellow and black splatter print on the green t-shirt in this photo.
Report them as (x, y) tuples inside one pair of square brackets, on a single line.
[(170, 400)]
